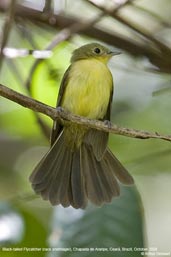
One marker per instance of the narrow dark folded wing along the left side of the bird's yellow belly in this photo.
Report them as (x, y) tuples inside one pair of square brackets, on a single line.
[(57, 127)]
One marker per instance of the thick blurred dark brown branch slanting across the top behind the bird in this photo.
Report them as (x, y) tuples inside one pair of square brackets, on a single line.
[(62, 21)]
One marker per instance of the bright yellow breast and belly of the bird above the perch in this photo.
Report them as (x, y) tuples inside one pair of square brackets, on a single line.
[(88, 90)]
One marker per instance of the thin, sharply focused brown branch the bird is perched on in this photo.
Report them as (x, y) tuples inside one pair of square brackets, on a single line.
[(61, 114)]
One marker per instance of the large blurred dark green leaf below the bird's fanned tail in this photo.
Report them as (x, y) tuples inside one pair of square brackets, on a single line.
[(115, 225)]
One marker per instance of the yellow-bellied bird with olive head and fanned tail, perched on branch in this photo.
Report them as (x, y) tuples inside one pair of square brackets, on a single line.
[(79, 167)]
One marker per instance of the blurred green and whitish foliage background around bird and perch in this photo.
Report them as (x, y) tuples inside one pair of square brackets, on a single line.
[(141, 217)]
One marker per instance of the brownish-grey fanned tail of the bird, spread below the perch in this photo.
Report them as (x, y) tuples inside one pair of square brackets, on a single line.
[(72, 178)]
